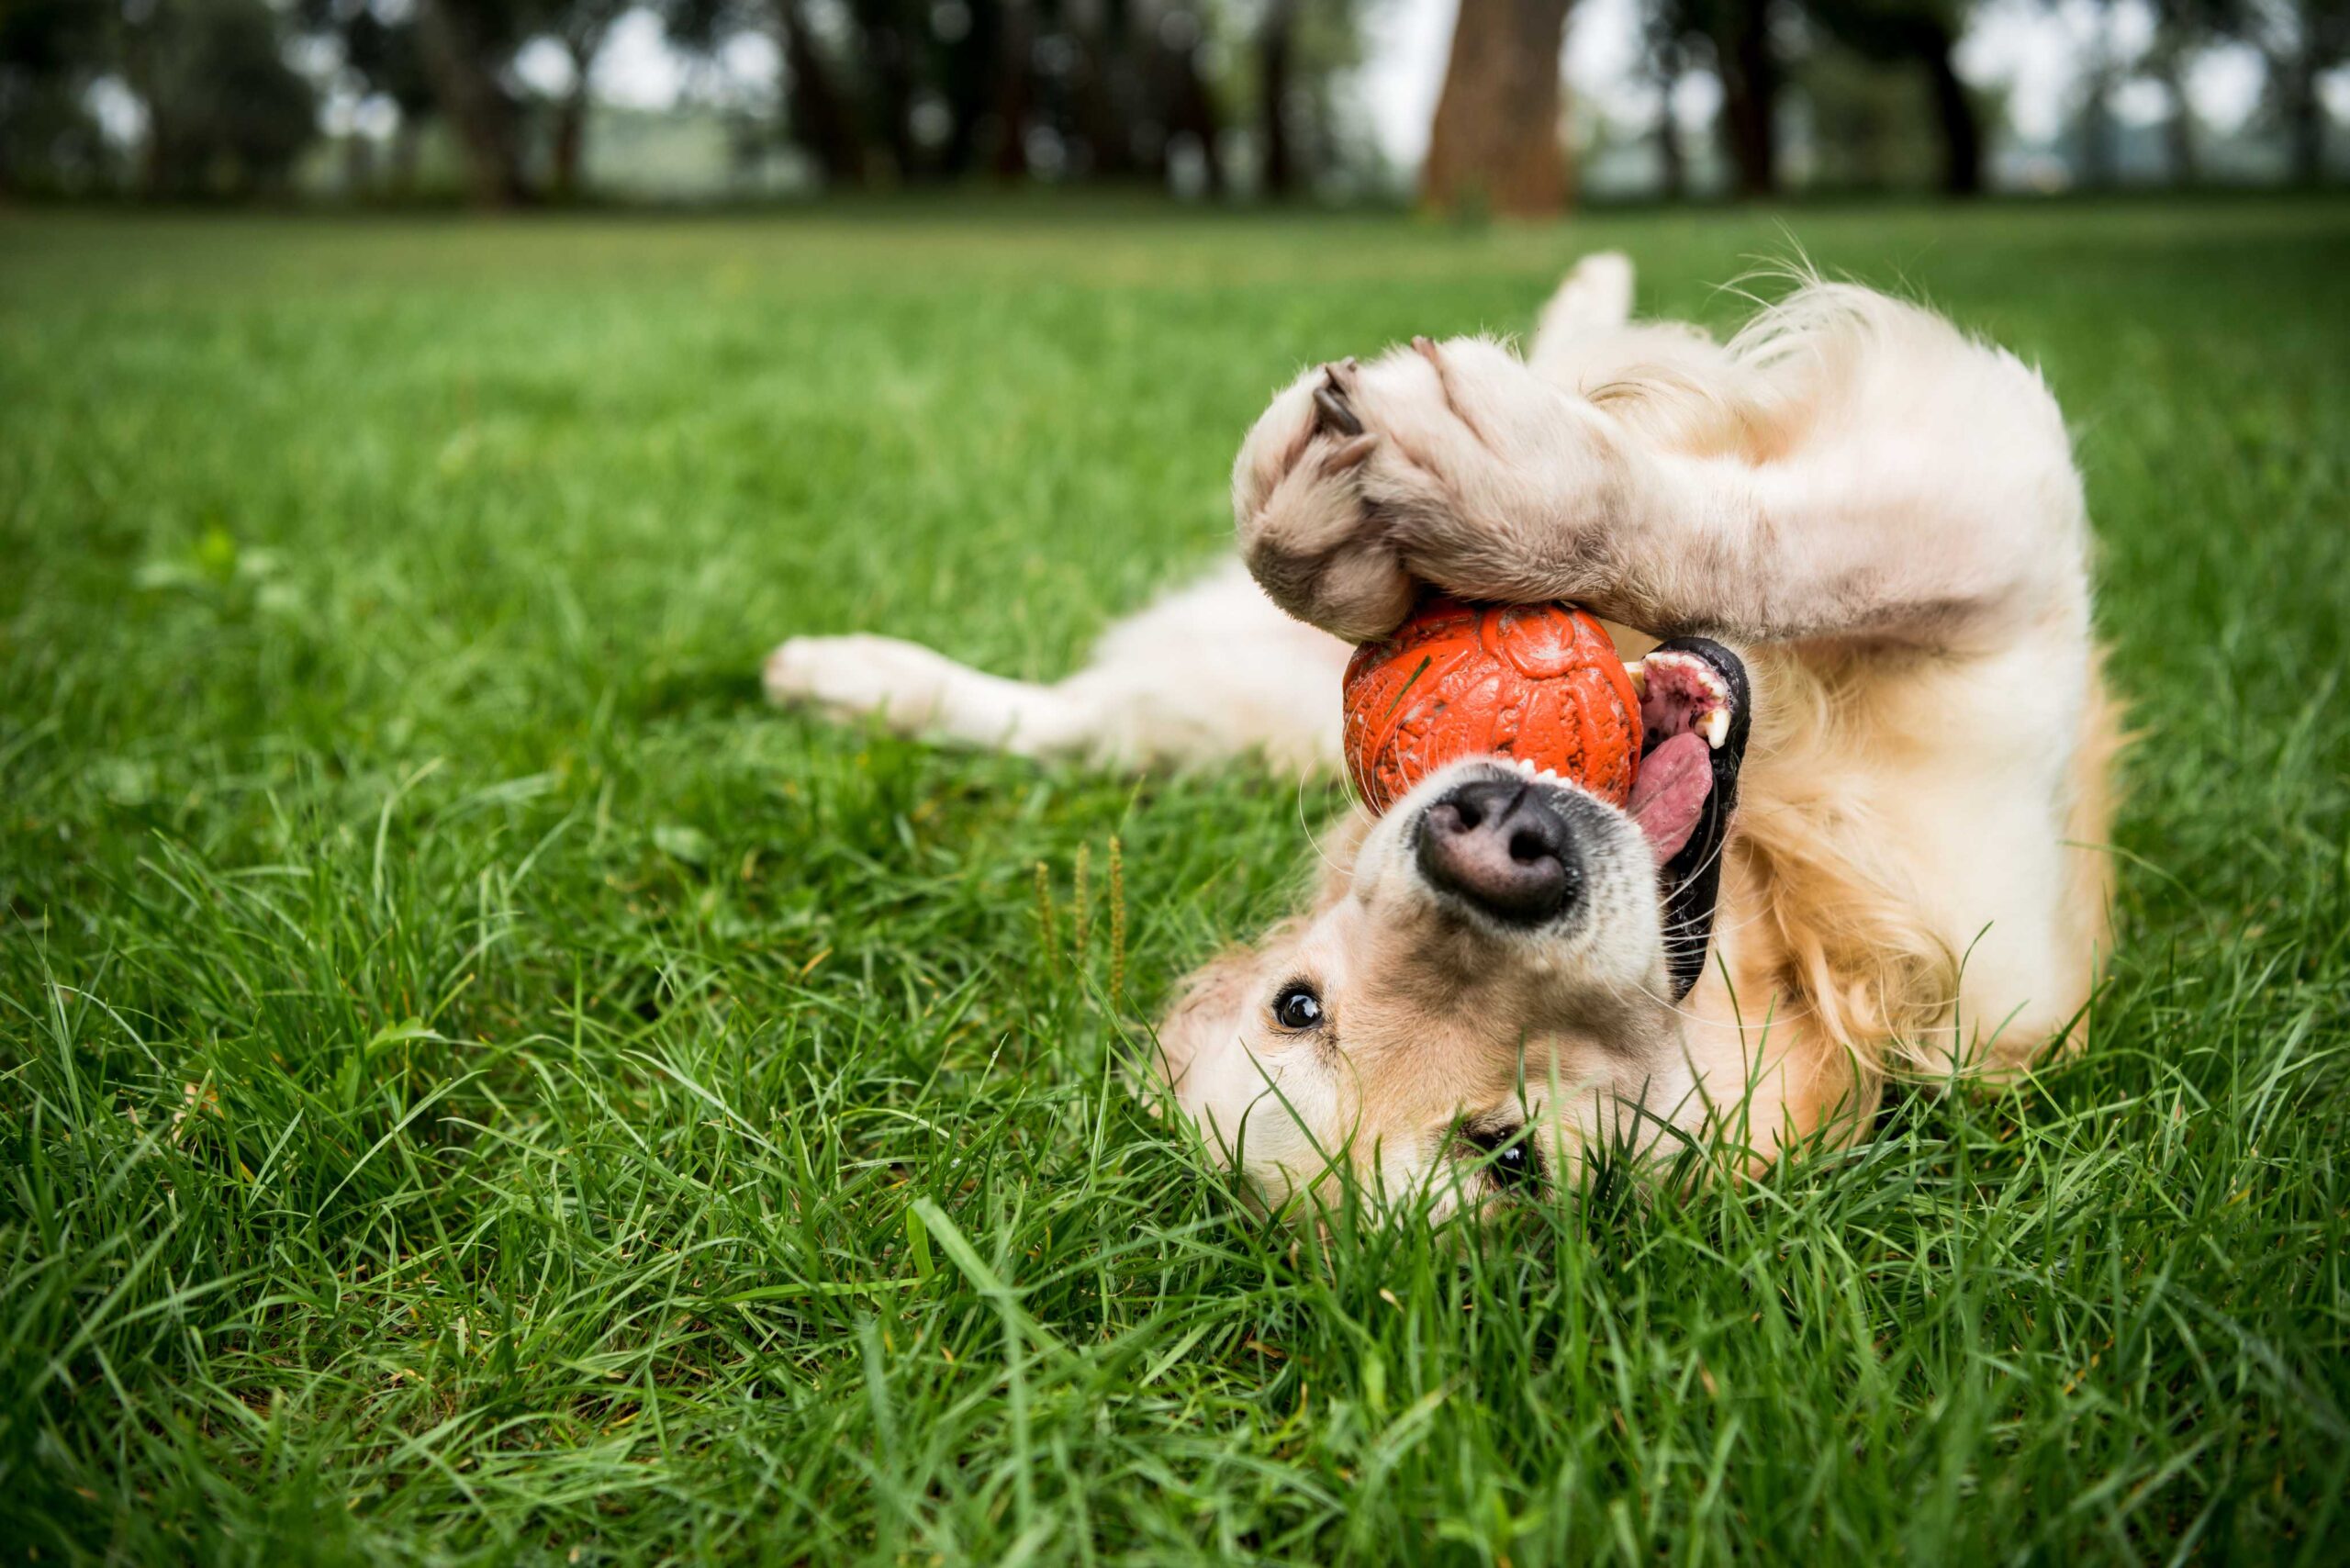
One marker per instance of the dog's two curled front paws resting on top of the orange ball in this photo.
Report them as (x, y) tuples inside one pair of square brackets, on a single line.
[(1446, 464)]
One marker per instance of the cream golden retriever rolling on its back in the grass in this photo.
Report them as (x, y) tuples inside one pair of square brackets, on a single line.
[(1846, 549)]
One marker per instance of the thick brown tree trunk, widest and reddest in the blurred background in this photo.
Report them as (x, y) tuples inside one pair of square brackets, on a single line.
[(1496, 138)]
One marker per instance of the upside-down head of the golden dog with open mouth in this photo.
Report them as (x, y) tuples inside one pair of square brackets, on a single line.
[(1491, 979)]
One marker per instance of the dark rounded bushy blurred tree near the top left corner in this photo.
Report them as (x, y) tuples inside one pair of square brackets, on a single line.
[(224, 109)]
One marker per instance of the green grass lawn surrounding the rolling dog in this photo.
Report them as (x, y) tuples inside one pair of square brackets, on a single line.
[(476, 1085)]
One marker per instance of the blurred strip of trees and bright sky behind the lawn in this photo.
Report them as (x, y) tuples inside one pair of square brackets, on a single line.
[(511, 102)]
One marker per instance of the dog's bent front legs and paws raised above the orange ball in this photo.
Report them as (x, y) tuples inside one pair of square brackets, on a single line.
[(1865, 474)]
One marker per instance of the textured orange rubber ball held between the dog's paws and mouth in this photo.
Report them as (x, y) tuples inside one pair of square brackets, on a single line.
[(1536, 683)]
